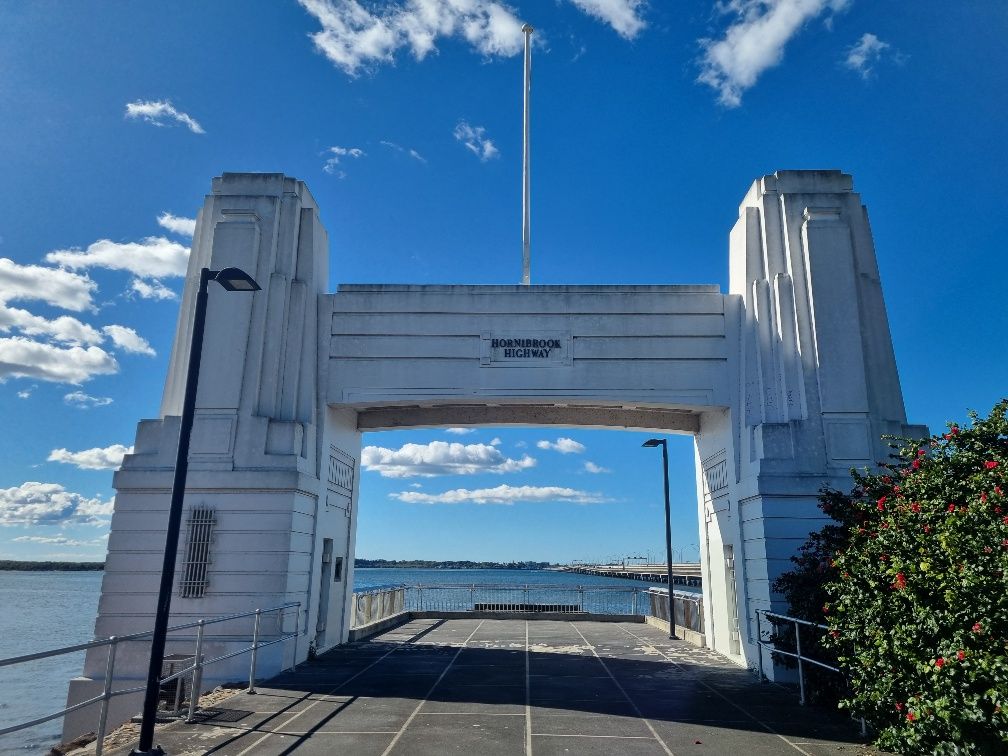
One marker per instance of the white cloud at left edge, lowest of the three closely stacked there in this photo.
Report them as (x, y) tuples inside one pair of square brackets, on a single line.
[(25, 358)]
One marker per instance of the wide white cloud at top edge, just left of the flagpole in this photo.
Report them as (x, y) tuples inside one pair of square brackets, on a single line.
[(355, 38)]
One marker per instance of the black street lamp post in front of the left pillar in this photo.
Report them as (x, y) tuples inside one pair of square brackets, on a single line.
[(232, 280)]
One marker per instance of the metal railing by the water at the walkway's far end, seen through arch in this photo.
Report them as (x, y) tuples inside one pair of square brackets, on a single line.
[(381, 603)]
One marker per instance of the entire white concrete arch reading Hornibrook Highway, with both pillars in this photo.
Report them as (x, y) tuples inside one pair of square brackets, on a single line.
[(786, 383)]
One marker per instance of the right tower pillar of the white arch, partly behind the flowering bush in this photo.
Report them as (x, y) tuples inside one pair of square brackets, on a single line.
[(818, 389)]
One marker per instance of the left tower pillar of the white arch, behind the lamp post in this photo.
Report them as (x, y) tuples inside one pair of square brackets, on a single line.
[(279, 473)]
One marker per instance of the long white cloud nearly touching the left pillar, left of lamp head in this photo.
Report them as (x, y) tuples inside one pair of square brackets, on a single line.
[(154, 258)]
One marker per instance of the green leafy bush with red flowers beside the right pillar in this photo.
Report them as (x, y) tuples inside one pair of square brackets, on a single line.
[(918, 592)]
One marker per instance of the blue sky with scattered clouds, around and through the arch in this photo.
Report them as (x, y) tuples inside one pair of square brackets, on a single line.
[(651, 121)]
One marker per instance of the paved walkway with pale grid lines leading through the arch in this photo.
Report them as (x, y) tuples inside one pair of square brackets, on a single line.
[(491, 688)]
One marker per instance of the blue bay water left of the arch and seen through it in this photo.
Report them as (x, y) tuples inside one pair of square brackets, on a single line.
[(45, 610)]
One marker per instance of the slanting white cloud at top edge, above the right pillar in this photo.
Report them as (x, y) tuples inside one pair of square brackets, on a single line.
[(755, 42)]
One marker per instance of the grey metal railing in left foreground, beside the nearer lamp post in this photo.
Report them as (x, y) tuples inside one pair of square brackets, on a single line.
[(195, 671)]
